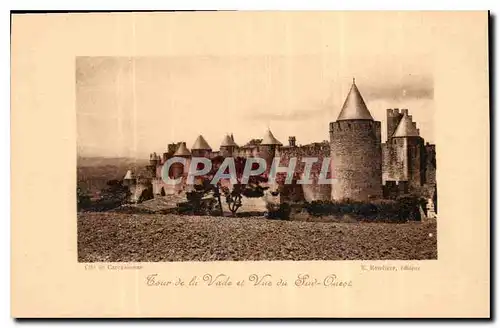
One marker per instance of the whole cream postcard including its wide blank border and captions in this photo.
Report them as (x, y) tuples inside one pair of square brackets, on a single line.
[(250, 164)]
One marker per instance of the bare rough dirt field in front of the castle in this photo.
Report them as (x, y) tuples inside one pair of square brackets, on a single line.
[(114, 237)]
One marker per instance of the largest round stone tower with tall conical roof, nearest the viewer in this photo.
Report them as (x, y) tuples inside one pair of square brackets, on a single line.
[(356, 152)]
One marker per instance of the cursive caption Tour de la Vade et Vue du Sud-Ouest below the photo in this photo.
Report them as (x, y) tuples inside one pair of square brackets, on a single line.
[(254, 280)]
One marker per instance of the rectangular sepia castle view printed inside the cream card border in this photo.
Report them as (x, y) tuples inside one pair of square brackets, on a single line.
[(256, 158)]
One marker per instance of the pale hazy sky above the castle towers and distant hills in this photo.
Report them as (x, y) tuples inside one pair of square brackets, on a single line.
[(131, 106)]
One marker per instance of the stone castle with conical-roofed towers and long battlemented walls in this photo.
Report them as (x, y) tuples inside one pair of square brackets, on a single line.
[(363, 167)]
